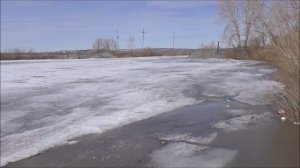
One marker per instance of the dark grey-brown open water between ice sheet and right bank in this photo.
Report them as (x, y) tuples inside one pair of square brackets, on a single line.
[(263, 144)]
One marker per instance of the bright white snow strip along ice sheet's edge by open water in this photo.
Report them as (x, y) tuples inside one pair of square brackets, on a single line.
[(80, 122)]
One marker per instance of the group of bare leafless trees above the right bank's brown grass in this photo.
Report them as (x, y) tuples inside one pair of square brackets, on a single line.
[(256, 23)]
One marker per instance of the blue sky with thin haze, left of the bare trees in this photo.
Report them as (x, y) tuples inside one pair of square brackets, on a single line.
[(68, 25)]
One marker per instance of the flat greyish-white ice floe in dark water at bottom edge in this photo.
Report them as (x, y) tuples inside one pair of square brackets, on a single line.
[(187, 155)]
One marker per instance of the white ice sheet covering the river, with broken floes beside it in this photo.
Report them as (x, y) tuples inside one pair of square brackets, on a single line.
[(46, 103)]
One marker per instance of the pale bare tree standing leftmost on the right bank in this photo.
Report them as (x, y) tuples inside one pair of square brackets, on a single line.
[(240, 18)]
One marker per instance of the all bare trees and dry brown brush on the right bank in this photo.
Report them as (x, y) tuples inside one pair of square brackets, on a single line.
[(268, 33)]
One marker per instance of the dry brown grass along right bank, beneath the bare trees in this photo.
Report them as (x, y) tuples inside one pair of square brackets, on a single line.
[(288, 74)]
